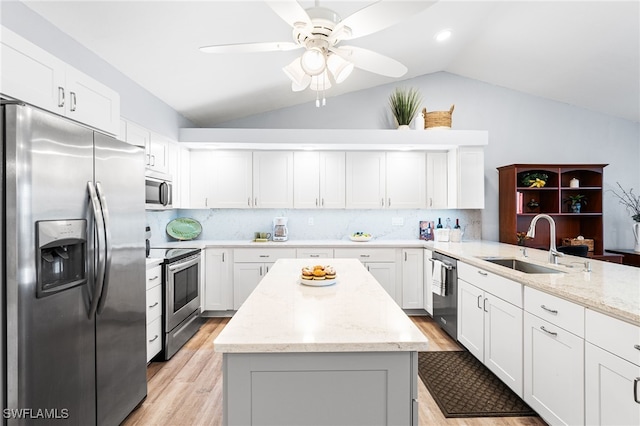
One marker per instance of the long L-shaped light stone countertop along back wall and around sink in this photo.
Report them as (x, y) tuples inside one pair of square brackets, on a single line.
[(610, 288)]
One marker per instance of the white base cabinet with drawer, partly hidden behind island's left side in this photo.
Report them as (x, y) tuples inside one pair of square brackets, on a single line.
[(250, 266)]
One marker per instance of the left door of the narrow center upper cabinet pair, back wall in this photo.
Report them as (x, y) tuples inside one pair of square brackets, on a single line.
[(306, 180)]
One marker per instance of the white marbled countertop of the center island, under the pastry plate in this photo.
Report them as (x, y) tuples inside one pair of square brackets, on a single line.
[(354, 315)]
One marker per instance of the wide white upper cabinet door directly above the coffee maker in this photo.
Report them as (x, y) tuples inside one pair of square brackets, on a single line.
[(272, 179)]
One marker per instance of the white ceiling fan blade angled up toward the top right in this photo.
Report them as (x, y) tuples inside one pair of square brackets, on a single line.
[(377, 17)]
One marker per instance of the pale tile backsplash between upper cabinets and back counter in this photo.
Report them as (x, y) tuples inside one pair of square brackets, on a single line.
[(332, 224)]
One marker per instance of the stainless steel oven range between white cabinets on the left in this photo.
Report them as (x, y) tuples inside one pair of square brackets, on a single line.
[(182, 269)]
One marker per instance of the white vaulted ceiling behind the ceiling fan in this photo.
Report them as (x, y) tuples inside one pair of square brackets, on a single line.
[(584, 53)]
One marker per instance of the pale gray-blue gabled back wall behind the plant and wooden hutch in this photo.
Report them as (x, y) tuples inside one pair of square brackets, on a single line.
[(522, 129)]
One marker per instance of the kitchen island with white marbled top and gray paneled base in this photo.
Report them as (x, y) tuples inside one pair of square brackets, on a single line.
[(339, 354)]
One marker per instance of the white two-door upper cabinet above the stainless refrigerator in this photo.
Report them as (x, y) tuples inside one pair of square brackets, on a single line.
[(34, 76)]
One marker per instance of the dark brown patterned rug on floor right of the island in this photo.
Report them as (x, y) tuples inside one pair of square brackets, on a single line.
[(463, 387)]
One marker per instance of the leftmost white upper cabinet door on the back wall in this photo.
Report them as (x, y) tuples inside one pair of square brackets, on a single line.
[(201, 180)]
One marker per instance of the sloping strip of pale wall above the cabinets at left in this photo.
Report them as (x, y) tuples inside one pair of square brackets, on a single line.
[(136, 103)]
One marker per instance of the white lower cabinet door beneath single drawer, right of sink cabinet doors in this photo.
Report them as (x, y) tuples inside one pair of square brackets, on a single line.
[(553, 372)]
